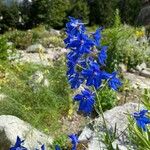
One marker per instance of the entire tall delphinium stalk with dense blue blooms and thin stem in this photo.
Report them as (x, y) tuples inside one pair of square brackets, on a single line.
[(85, 61)]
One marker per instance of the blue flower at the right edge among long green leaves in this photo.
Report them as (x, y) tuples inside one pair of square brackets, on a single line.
[(141, 119)]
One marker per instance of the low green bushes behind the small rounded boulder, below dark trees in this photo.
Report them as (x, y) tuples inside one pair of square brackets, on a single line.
[(36, 35)]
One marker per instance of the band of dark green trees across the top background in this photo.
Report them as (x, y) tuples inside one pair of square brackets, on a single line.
[(27, 15)]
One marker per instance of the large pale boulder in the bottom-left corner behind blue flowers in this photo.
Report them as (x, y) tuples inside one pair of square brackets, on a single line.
[(11, 127)]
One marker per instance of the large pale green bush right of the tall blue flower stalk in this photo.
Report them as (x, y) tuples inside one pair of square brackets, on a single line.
[(123, 47)]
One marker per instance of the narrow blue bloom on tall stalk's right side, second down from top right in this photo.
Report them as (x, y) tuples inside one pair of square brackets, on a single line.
[(102, 55)]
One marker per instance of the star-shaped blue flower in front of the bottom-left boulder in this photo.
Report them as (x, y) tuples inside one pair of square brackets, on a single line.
[(18, 145)]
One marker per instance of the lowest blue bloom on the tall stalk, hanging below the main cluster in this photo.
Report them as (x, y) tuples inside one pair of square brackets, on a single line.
[(86, 101)]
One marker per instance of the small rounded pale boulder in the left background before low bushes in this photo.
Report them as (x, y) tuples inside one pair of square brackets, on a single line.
[(36, 48)]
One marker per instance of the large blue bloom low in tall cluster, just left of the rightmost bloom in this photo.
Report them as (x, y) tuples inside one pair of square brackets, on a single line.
[(93, 75)]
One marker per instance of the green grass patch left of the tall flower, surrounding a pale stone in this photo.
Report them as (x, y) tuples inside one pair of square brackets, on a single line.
[(42, 109)]
